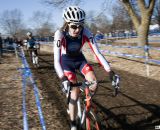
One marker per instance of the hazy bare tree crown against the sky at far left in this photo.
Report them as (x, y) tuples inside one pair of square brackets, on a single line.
[(11, 21)]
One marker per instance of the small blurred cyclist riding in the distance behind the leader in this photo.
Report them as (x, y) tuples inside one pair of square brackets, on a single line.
[(31, 46)]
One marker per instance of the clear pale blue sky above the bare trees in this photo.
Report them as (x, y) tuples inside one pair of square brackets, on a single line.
[(29, 6)]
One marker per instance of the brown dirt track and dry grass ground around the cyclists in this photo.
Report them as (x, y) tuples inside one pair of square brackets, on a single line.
[(137, 106)]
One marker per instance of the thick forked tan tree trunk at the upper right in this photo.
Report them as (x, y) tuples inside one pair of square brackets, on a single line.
[(141, 23)]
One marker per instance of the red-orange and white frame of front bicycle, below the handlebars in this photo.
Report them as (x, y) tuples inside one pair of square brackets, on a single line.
[(84, 105)]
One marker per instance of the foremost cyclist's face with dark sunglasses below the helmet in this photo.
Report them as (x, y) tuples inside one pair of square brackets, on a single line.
[(75, 29)]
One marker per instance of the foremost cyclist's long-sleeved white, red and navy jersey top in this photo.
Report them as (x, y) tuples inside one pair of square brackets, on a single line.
[(65, 45)]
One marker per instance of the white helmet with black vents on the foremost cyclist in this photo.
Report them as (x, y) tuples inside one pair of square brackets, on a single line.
[(74, 14)]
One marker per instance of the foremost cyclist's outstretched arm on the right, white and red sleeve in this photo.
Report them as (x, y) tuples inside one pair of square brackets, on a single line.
[(94, 47)]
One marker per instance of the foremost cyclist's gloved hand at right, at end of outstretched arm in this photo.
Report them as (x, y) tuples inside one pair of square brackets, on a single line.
[(115, 79)]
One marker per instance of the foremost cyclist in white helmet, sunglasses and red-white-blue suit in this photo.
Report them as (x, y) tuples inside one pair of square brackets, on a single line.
[(68, 57)]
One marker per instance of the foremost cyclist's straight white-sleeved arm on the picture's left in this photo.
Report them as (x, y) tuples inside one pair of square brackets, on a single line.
[(57, 53)]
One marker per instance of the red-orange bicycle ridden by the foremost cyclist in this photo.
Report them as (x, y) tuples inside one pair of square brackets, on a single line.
[(86, 115)]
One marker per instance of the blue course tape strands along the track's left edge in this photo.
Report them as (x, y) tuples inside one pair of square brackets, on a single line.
[(27, 73)]
